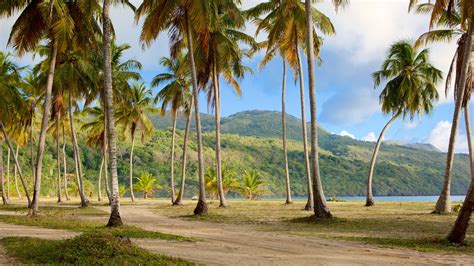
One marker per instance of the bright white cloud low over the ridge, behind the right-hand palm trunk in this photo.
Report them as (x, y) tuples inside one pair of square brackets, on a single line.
[(439, 137)]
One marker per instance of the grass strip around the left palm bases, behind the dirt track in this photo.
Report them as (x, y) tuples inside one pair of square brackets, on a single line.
[(67, 218)]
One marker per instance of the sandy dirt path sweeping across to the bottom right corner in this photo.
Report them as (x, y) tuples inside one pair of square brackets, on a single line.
[(231, 244)]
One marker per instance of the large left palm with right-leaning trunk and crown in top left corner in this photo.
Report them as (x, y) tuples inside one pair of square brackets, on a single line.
[(59, 24)]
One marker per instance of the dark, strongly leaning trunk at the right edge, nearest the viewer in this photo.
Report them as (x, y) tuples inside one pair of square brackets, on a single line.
[(459, 230)]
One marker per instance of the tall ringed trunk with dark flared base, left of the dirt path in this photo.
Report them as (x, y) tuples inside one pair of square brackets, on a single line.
[(115, 219)]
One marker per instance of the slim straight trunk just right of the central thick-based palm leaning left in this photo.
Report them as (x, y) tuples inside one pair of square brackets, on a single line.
[(220, 188)]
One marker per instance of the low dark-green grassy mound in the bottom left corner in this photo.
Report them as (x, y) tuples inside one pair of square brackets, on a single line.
[(87, 249)]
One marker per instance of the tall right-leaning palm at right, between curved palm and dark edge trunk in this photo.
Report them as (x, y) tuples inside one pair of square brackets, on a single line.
[(451, 24)]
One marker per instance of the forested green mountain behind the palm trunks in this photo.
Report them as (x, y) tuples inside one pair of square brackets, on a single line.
[(252, 140)]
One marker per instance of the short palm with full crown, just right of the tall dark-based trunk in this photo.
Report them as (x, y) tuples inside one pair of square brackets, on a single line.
[(133, 114)]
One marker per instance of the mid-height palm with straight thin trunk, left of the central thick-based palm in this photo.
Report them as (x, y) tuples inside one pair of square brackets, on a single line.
[(175, 93)]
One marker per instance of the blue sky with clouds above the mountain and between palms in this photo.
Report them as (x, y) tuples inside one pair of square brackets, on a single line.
[(347, 101)]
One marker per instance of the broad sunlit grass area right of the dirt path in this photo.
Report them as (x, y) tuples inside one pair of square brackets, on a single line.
[(408, 225)]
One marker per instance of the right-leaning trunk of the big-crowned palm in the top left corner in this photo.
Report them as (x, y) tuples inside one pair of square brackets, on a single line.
[(44, 126)]
